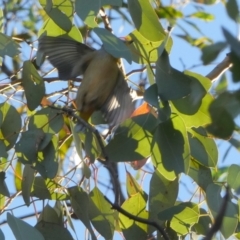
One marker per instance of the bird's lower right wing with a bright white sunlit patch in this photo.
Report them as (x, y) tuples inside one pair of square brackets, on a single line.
[(119, 105)]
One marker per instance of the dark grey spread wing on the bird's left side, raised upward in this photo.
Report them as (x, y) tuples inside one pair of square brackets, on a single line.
[(65, 54)]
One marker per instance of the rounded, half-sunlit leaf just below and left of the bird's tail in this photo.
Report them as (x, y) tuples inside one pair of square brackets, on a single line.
[(48, 119)]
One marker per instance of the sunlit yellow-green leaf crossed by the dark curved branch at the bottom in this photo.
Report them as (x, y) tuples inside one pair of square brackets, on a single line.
[(136, 206)]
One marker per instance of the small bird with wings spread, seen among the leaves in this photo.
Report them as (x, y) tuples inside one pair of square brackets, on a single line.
[(103, 86)]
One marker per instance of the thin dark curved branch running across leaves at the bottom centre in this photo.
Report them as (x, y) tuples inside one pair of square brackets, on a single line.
[(138, 219)]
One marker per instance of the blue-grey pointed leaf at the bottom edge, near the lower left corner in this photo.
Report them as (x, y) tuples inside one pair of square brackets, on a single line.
[(22, 230)]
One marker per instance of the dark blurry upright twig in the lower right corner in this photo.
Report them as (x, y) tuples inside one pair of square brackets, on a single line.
[(219, 218)]
